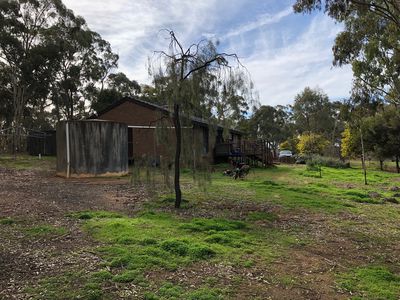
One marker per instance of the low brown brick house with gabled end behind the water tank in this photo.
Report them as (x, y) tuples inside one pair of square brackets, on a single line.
[(144, 119)]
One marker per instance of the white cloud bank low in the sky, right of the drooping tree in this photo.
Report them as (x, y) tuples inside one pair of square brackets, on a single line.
[(279, 74)]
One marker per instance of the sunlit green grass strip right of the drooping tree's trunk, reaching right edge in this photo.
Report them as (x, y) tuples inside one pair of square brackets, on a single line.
[(295, 188)]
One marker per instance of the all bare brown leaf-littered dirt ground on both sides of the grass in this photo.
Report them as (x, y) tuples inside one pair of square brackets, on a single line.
[(37, 197)]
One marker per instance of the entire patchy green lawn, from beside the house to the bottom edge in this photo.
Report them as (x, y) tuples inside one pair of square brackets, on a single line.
[(248, 227)]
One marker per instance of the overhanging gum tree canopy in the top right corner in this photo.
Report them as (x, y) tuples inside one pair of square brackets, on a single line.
[(370, 40)]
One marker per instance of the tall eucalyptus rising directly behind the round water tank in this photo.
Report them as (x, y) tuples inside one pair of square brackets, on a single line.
[(86, 60)]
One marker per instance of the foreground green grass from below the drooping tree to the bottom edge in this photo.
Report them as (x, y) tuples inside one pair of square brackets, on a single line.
[(132, 247)]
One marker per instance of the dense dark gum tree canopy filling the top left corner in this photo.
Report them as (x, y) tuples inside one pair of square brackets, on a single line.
[(48, 56)]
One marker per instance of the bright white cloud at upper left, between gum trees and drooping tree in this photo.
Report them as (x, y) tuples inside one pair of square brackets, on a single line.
[(133, 27)]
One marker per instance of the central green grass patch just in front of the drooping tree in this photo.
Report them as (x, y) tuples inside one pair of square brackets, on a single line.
[(155, 240)]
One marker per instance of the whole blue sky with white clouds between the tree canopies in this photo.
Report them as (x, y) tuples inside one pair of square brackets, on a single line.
[(283, 51)]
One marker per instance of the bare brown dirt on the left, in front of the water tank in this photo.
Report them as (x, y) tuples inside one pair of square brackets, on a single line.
[(32, 197)]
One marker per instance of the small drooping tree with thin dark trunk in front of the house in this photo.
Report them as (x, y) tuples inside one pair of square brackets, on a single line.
[(198, 79)]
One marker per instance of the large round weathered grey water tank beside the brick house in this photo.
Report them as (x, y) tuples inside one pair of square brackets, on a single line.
[(92, 148)]
